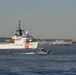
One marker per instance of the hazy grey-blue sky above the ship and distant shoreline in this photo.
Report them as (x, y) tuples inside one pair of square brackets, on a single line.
[(45, 19)]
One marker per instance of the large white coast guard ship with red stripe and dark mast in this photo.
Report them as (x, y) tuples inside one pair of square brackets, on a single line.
[(20, 41)]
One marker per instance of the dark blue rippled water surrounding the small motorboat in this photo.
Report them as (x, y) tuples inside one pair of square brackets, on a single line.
[(61, 61)]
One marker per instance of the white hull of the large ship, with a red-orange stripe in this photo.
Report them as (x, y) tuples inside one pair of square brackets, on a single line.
[(19, 46)]
